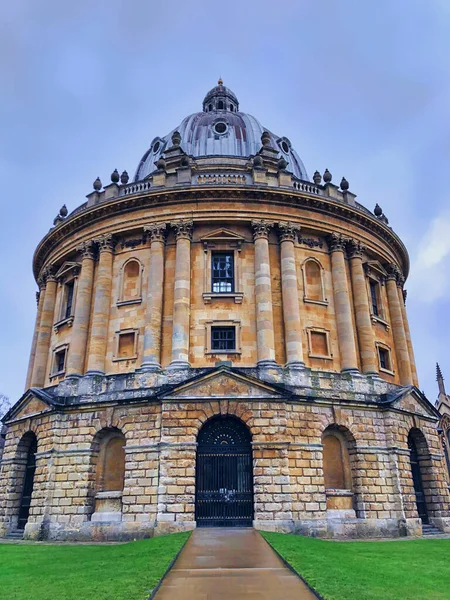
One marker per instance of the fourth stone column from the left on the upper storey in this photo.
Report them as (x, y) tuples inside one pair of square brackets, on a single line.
[(102, 306)]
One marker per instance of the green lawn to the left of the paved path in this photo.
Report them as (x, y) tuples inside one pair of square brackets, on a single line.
[(85, 572)]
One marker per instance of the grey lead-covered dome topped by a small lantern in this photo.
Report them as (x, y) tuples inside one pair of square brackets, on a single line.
[(220, 130)]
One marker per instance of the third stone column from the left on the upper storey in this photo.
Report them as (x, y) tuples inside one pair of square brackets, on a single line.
[(79, 336)]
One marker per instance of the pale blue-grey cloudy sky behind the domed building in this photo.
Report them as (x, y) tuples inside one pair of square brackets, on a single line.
[(360, 88)]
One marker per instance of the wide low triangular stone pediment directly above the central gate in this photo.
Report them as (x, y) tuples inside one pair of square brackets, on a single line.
[(224, 383)]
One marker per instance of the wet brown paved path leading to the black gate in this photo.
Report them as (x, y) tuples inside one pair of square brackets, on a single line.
[(219, 564)]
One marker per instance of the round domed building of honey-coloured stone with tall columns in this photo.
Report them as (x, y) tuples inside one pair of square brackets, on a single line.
[(221, 342)]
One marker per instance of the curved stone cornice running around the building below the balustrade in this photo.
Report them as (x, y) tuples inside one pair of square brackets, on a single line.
[(214, 194)]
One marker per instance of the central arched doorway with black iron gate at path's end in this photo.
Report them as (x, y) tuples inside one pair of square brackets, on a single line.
[(224, 474)]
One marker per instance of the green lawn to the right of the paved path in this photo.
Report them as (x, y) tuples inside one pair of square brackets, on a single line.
[(406, 570)]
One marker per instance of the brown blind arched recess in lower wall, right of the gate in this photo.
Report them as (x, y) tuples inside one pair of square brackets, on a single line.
[(336, 463)]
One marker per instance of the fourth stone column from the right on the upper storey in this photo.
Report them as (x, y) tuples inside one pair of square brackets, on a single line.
[(343, 310)]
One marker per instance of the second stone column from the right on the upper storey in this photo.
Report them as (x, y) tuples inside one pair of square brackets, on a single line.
[(398, 330)]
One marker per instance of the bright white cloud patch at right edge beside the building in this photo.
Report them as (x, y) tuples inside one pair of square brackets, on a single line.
[(429, 280)]
